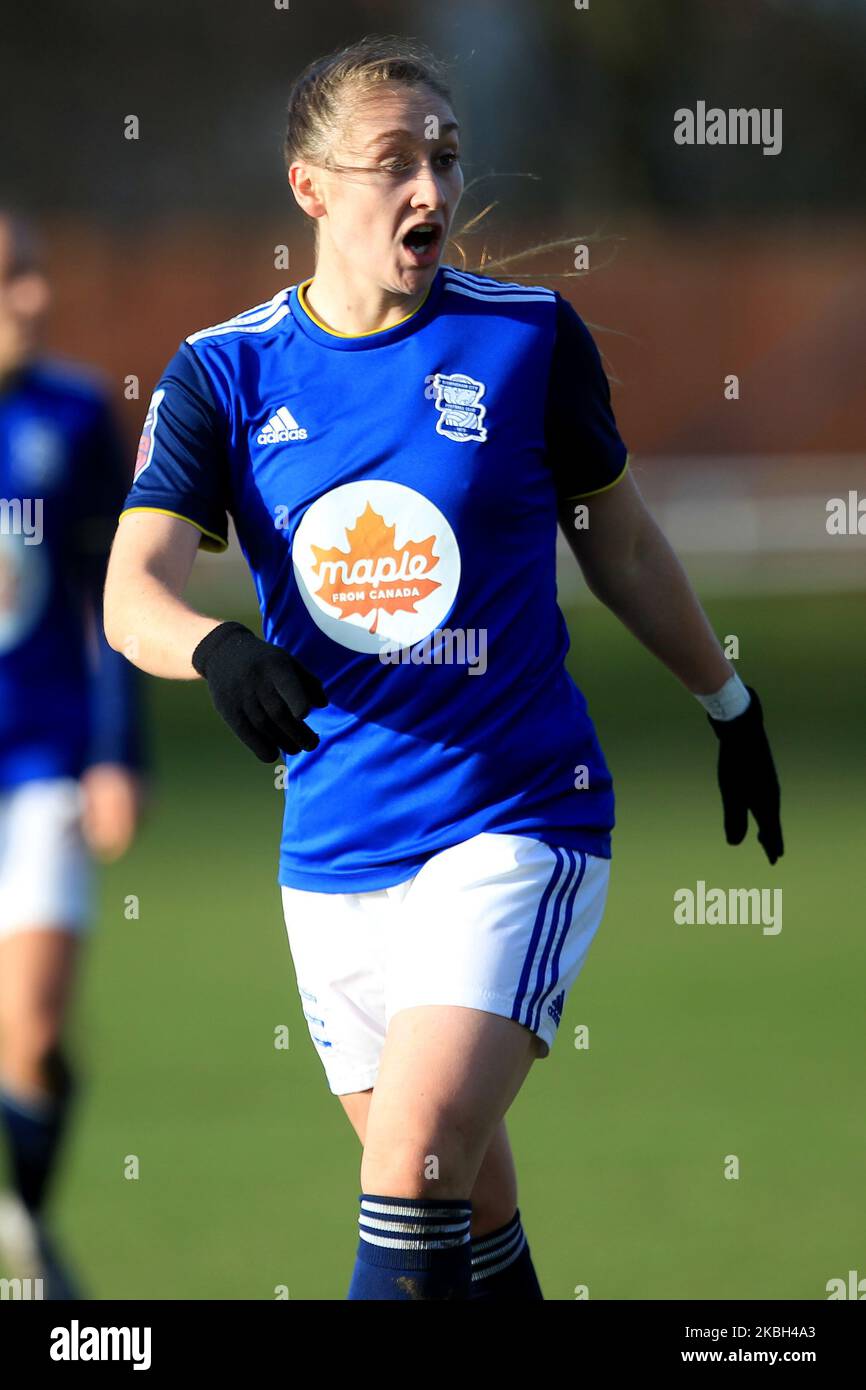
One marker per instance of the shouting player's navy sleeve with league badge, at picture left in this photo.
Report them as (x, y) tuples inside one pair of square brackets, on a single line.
[(181, 466)]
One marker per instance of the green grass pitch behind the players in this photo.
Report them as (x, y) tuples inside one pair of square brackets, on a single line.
[(704, 1042)]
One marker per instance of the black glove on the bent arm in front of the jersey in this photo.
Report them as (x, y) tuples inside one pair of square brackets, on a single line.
[(262, 692)]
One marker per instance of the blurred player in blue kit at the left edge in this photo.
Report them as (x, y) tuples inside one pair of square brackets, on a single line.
[(70, 747)]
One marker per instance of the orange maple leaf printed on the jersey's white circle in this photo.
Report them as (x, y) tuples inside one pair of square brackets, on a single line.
[(375, 575)]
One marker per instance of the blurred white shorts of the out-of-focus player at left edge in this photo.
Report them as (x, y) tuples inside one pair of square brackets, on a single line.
[(45, 865)]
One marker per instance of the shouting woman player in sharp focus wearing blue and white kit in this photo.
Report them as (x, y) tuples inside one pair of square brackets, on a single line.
[(397, 441)]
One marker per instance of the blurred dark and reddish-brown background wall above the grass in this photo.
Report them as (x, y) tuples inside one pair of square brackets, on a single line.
[(703, 261)]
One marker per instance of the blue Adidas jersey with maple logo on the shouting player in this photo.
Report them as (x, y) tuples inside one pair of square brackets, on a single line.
[(395, 497)]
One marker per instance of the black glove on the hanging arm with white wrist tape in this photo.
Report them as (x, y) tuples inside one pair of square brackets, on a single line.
[(747, 779)]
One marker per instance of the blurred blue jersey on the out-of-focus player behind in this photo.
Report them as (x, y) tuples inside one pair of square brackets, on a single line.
[(67, 701)]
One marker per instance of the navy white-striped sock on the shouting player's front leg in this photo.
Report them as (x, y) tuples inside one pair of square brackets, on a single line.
[(414, 1249)]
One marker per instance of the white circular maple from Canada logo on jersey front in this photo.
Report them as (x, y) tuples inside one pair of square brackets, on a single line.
[(377, 565)]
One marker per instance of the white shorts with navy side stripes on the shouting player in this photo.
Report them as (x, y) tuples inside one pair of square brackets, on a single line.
[(500, 924)]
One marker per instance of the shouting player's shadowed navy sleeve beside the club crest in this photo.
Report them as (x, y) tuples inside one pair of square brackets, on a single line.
[(585, 447)]
